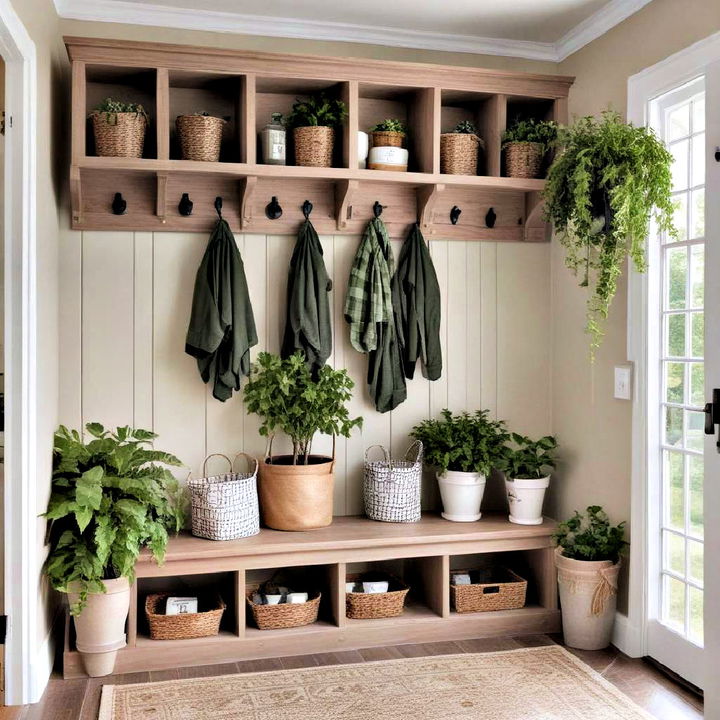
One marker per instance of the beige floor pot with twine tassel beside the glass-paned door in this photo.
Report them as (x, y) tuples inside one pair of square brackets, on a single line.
[(588, 597)]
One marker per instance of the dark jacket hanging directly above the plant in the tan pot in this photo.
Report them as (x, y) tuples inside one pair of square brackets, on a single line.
[(307, 326)]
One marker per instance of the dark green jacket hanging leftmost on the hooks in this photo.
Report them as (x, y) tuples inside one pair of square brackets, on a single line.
[(222, 326)]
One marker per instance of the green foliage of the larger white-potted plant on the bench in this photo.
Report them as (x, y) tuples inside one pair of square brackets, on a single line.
[(462, 442)]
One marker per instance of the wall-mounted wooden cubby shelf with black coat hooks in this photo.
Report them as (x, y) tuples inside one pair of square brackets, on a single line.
[(245, 88)]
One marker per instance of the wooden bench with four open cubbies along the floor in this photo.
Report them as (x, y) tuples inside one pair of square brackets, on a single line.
[(422, 553)]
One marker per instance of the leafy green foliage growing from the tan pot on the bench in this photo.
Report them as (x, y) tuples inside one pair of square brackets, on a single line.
[(287, 399)]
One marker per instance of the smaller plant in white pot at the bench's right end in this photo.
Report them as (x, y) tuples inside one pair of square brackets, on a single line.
[(526, 465)]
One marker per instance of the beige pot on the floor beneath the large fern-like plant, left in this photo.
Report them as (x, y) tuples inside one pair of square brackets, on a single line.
[(100, 627)]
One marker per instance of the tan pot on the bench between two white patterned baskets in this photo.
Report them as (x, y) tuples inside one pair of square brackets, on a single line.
[(296, 497)]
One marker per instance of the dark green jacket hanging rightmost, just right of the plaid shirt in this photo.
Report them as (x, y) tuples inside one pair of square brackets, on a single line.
[(419, 301)]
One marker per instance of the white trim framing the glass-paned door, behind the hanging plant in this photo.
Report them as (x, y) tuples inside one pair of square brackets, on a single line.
[(674, 71)]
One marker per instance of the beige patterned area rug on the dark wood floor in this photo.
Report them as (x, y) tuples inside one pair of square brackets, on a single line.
[(544, 683)]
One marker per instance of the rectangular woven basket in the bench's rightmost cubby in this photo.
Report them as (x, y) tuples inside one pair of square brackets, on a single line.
[(499, 589)]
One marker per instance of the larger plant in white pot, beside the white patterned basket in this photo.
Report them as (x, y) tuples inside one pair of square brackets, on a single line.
[(463, 448)]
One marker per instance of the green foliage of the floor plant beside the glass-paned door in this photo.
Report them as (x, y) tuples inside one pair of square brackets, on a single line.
[(591, 537)]
